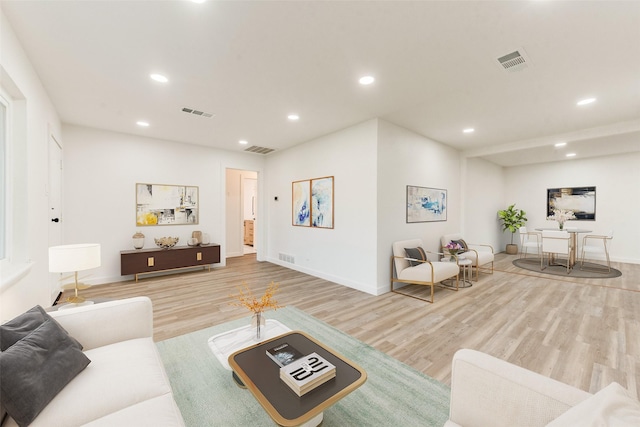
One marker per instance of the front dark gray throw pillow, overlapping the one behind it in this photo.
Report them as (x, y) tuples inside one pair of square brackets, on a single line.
[(36, 368)]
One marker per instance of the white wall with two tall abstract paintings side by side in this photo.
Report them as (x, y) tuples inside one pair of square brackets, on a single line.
[(345, 254)]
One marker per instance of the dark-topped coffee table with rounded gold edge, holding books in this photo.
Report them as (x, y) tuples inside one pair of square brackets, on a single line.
[(261, 376)]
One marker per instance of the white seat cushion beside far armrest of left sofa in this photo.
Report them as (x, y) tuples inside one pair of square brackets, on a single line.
[(120, 375)]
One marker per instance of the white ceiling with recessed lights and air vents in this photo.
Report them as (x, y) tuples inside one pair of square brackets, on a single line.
[(251, 63)]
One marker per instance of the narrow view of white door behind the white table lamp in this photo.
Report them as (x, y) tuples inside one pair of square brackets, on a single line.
[(54, 195)]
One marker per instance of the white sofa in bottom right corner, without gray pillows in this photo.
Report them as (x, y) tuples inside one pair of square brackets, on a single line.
[(489, 392)]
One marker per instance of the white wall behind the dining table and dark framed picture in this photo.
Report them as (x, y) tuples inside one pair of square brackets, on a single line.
[(616, 180)]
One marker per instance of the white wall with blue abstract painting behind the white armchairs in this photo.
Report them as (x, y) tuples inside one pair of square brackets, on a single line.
[(406, 158)]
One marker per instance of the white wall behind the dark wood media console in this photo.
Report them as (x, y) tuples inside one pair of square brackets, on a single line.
[(101, 169)]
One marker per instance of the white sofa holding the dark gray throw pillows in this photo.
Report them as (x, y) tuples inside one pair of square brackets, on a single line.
[(125, 384)]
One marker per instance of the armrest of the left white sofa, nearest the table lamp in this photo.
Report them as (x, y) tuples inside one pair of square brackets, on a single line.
[(109, 322)]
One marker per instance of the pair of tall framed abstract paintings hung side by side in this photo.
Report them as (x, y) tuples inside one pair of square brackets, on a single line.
[(312, 202)]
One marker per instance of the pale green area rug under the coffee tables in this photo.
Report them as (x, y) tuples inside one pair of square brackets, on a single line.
[(394, 395)]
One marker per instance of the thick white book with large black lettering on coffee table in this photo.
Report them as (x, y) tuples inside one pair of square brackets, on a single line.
[(307, 373)]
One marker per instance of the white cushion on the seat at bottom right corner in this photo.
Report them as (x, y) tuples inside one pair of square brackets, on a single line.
[(612, 406)]
